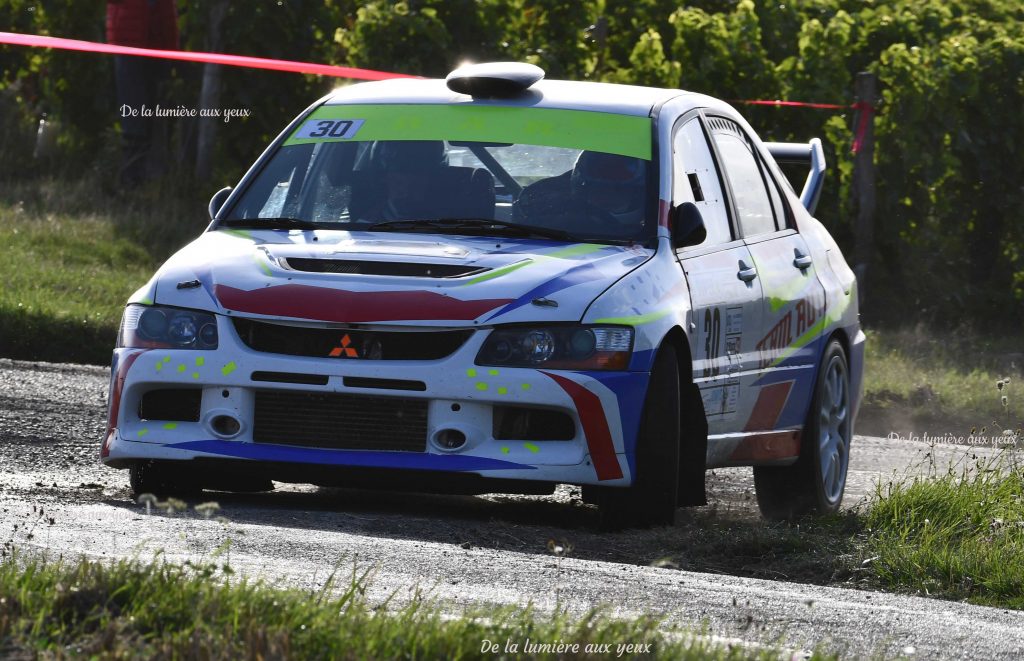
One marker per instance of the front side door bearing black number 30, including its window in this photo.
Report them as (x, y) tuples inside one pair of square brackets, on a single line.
[(726, 292)]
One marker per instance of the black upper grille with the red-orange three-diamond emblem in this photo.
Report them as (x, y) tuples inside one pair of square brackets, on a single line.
[(348, 343)]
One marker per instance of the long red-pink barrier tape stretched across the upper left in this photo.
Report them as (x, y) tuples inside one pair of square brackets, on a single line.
[(193, 57)]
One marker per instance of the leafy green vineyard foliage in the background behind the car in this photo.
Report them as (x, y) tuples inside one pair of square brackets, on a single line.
[(949, 120)]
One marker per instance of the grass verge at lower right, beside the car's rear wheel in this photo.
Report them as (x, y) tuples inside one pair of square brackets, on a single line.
[(957, 535)]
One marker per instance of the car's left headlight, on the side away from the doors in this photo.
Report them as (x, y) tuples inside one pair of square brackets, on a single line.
[(149, 327)]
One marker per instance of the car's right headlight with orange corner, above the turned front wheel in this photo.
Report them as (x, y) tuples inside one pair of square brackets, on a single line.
[(569, 347)]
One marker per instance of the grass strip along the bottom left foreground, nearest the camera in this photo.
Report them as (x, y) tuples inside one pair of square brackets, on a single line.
[(134, 610)]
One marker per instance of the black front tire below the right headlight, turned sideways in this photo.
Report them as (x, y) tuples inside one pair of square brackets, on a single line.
[(653, 498)]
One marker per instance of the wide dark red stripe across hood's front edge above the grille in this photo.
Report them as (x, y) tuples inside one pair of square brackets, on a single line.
[(306, 302)]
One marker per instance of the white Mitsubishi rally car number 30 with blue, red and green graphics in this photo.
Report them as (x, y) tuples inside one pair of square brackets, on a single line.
[(497, 284)]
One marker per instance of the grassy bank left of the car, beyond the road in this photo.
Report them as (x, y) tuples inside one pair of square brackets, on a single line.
[(73, 255)]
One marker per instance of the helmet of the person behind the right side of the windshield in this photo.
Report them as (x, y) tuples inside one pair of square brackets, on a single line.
[(613, 184)]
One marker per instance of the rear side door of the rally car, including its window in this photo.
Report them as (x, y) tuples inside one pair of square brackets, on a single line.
[(793, 310)]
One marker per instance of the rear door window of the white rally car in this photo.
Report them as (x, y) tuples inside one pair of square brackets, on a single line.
[(753, 203)]
